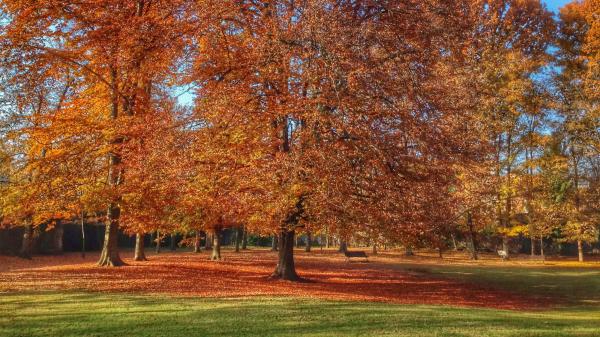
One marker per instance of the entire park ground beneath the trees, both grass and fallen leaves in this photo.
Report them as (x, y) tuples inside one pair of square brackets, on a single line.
[(185, 294)]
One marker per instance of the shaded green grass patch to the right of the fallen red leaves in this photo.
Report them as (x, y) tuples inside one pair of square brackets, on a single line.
[(570, 285)]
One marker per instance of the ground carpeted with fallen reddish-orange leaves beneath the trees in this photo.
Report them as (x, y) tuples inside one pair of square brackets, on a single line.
[(245, 274)]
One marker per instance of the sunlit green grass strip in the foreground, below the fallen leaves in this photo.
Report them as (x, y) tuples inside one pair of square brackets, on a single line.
[(96, 314)]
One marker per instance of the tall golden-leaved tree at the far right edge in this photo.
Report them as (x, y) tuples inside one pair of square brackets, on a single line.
[(578, 107)]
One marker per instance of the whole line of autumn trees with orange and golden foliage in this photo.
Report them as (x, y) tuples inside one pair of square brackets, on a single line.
[(397, 122)]
